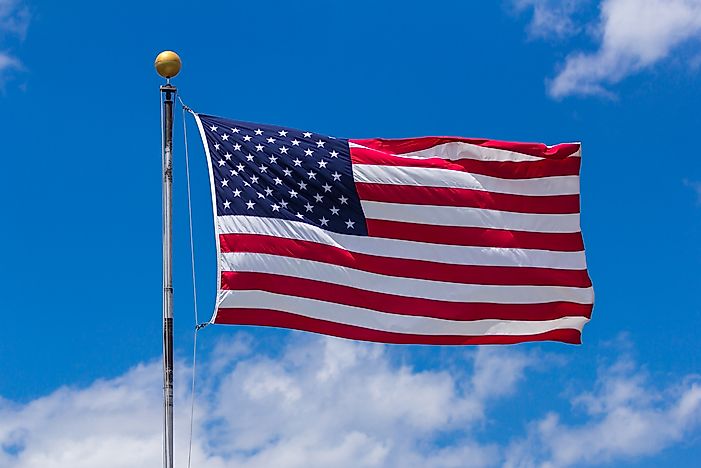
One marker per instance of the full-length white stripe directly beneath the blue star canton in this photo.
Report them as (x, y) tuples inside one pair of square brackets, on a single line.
[(454, 254)]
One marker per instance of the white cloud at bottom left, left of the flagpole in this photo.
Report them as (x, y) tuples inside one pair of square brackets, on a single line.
[(114, 419)]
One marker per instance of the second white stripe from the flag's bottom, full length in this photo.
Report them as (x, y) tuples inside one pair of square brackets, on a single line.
[(253, 262)]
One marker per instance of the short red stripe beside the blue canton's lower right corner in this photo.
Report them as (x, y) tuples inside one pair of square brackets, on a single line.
[(479, 237)]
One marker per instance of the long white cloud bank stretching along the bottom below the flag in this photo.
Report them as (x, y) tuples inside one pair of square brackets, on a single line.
[(324, 402)]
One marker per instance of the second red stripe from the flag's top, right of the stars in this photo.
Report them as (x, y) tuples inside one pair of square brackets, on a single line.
[(501, 169)]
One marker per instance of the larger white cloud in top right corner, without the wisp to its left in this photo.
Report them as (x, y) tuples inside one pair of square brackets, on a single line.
[(633, 35)]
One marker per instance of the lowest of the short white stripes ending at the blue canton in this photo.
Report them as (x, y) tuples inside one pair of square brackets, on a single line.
[(471, 217)]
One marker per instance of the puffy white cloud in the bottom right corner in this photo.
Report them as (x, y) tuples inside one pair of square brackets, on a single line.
[(627, 417)]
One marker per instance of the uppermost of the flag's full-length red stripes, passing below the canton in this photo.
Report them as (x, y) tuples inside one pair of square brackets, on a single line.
[(434, 271)]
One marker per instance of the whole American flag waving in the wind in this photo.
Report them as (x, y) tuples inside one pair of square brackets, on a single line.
[(433, 240)]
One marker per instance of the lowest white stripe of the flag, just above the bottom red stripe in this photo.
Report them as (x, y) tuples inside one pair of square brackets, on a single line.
[(366, 318)]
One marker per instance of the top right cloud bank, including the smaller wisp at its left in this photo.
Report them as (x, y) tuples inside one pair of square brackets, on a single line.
[(632, 36)]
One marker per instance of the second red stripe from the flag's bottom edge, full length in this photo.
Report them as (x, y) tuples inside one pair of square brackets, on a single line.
[(395, 304)]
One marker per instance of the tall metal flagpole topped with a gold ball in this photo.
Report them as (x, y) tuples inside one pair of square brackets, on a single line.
[(168, 65)]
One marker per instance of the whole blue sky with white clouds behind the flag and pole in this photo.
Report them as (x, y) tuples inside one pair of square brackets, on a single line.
[(80, 269)]
